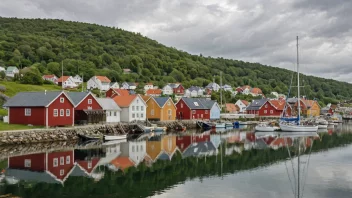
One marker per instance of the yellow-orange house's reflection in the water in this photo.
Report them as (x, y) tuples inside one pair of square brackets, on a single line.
[(161, 147)]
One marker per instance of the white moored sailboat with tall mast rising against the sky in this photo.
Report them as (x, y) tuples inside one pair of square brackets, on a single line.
[(294, 124)]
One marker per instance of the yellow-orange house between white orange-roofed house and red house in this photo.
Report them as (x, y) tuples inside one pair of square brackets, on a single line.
[(160, 108)]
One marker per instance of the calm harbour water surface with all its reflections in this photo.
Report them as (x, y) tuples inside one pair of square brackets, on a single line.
[(237, 163)]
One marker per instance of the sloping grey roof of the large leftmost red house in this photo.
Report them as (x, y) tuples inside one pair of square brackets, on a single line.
[(32, 99)]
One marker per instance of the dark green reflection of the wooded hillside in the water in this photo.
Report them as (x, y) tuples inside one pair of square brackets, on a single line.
[(143, 181)]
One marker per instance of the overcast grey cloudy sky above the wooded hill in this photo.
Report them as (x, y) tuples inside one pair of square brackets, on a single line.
[(261, 31)]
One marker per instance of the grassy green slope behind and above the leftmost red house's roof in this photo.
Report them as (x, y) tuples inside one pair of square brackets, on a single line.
[(12, 88)]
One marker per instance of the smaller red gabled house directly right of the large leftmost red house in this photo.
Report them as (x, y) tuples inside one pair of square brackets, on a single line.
[(87, 108)]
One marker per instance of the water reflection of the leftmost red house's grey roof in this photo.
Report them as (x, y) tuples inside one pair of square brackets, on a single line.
[(27, 175)]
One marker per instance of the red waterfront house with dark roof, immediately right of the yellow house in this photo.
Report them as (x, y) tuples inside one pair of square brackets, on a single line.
[(191, 108)]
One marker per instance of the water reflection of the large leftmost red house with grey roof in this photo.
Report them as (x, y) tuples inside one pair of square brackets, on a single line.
[(52, 167)]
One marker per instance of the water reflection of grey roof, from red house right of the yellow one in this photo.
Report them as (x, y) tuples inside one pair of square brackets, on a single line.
[(199, 149)]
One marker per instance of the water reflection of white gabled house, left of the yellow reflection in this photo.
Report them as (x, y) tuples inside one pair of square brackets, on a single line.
[(135, 150)]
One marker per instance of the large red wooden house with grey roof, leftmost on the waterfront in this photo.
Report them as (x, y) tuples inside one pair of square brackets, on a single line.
[(53, 108)]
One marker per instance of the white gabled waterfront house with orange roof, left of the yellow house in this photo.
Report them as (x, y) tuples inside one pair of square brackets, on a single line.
[(133, 107)]
